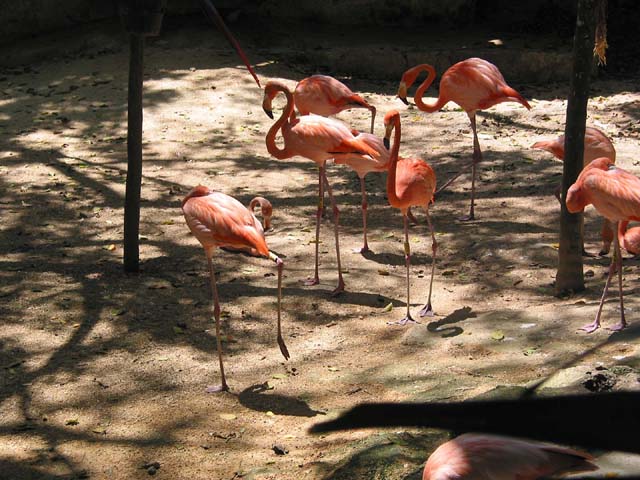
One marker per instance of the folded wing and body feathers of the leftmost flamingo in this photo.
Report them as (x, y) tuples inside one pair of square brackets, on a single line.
[(219, 220)]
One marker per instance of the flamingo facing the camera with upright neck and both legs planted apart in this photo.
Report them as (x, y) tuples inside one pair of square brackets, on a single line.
[(411, 181)]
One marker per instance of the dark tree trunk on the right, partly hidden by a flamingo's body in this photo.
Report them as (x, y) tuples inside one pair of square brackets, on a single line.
[(570, 276)]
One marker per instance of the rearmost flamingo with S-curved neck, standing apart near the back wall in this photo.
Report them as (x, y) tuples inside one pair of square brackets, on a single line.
[(474, 84)]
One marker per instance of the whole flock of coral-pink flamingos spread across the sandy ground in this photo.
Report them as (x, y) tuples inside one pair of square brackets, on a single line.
[(218, 220)]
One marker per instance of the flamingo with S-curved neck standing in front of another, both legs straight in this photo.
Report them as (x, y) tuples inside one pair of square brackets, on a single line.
[(319, 139)]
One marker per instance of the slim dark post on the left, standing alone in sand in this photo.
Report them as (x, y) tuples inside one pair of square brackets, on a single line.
[(134, 152)]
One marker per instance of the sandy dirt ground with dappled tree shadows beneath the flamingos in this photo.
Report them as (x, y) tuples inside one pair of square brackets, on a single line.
[(103, 375)]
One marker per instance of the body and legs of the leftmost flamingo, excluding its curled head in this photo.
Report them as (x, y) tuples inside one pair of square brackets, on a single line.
[(218, 220)]
